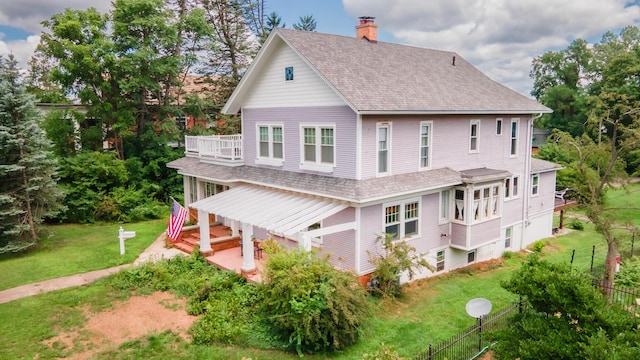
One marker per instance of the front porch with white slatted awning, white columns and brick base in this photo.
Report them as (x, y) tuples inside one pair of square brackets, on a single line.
[(245, 209)]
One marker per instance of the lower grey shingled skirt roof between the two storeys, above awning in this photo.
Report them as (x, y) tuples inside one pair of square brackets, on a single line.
[(327, 186)]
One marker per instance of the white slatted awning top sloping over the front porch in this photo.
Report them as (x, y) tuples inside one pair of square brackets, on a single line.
[(282, 212)]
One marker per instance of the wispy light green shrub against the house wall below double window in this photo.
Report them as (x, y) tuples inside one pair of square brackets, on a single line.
[(396, 257)]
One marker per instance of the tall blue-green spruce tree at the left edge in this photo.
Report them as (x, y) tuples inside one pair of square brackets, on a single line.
[(28, 189)]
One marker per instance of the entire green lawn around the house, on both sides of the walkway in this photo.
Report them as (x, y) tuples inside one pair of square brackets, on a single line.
[(431, 311)]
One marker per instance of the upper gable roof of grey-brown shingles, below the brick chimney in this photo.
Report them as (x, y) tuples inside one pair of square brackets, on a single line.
[(384, 78)]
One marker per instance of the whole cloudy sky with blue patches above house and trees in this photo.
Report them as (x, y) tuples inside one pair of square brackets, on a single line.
[(500, 37)]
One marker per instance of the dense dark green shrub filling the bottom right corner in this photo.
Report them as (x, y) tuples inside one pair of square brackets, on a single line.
[(569, 318)]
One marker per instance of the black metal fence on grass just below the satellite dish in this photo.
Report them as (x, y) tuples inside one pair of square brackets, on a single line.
[(471, 342)]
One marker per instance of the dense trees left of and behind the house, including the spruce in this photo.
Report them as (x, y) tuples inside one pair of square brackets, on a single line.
[(127, 69)]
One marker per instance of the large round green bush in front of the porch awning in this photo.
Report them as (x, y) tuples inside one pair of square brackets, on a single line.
[(309, 305)]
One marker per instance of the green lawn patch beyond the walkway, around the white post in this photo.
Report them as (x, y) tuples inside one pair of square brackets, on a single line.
[(73, 249)]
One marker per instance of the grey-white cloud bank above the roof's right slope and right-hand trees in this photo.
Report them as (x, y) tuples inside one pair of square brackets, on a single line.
[(499, 37)]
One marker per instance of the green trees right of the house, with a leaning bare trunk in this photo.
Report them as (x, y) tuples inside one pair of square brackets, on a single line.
[(594, 92)]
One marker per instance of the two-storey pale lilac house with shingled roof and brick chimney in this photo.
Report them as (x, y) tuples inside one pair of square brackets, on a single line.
[(344, 139)]
